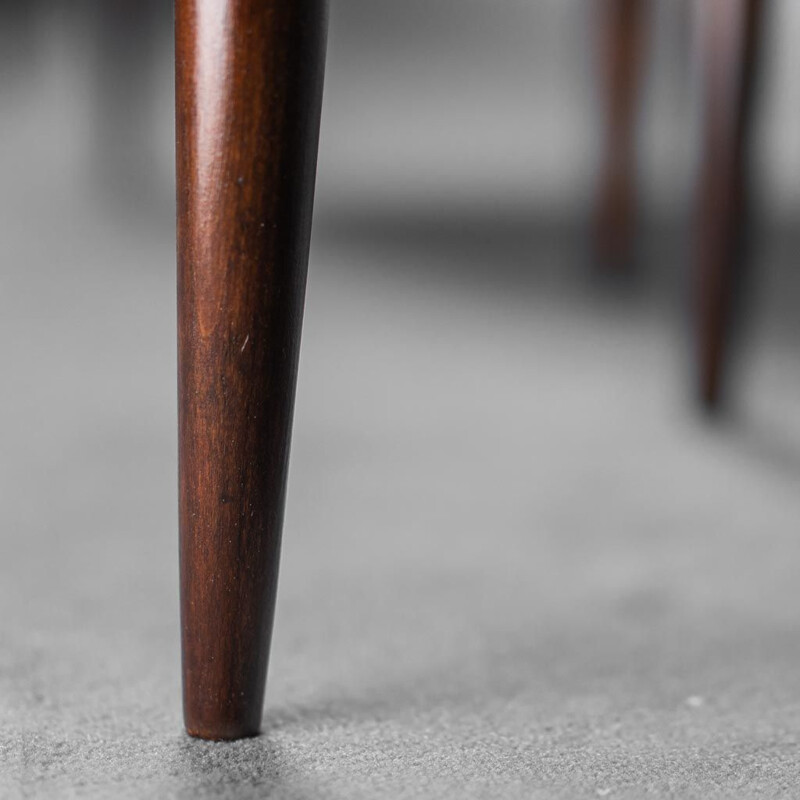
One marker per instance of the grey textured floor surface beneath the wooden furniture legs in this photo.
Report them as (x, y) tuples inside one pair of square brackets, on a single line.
[(515, 563)]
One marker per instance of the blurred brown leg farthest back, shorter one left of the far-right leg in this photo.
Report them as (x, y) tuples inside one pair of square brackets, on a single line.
[(621, 46)]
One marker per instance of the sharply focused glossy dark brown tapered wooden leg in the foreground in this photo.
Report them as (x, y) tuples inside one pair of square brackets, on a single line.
[(249, 83)]
